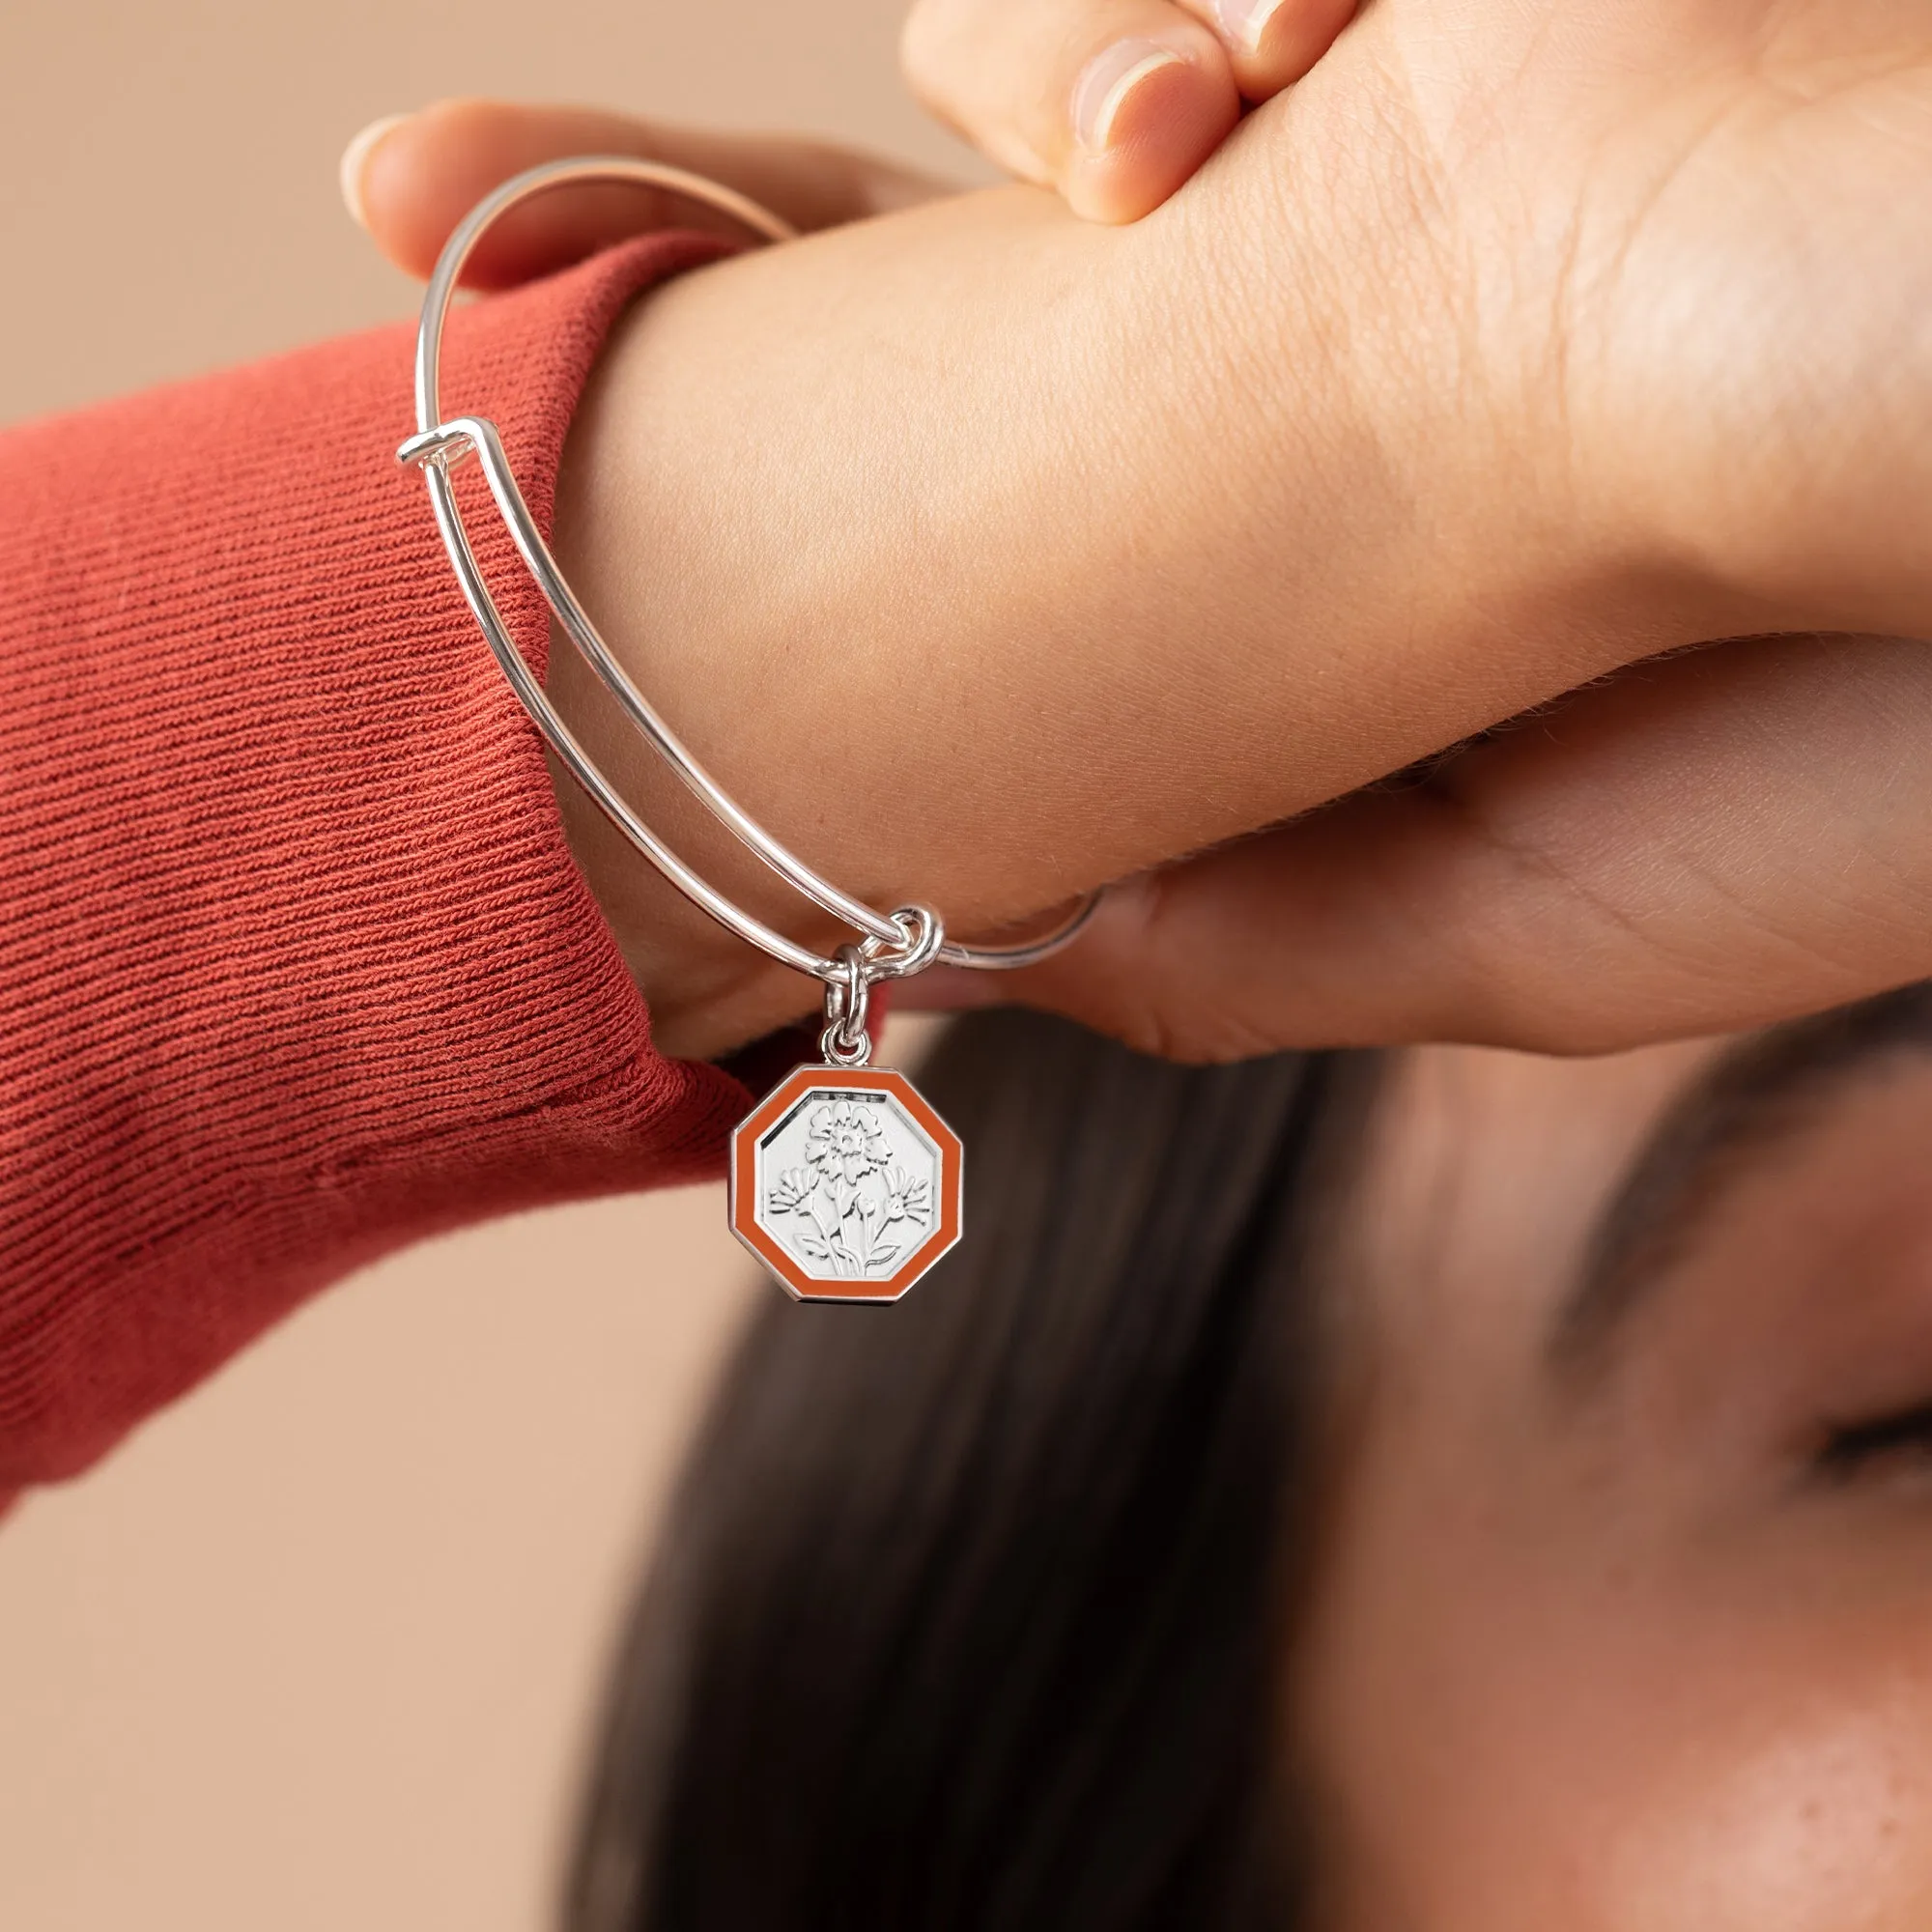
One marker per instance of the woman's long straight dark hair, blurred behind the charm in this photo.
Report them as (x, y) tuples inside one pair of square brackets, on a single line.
[(971, 1610)]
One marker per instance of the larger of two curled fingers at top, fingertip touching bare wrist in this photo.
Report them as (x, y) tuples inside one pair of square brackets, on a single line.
[(1112, 101)]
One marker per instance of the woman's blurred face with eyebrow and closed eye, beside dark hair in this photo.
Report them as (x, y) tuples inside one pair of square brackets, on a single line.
[(1632, 1626)]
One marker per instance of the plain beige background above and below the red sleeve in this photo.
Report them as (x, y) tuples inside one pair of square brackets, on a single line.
[(318, 1647)]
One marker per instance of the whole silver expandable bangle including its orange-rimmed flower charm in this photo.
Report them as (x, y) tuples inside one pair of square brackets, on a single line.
[(843, 1179)]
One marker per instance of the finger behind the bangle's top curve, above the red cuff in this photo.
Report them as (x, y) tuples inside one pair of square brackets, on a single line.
[(412, 179)]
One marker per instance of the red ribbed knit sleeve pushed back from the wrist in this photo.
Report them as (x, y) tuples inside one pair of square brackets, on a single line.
[(295, 963)]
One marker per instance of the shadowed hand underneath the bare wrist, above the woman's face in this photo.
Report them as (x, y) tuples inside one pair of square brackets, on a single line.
[(1709, 845)]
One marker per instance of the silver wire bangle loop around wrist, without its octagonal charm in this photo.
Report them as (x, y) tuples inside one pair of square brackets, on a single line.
[(894, 946)]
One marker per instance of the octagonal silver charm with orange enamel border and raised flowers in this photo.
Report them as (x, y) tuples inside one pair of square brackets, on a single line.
[(845, 1183)]
